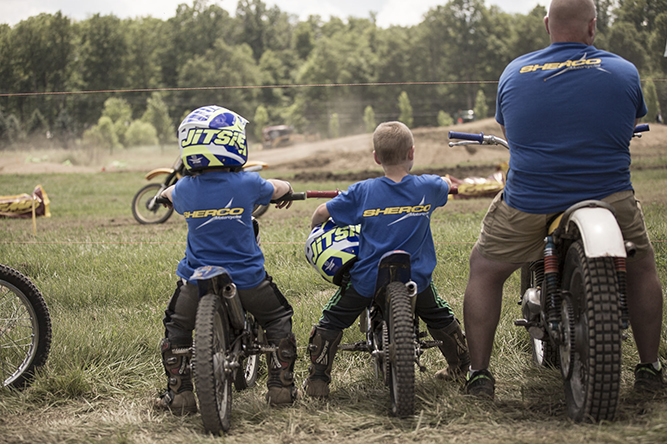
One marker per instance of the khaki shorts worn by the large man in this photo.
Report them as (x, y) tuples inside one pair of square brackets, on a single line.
[(512, 236)]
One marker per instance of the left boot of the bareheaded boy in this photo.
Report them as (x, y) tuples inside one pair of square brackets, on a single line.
[(322, 347)]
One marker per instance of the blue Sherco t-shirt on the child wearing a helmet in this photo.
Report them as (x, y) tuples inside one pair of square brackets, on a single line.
[(218, 209)]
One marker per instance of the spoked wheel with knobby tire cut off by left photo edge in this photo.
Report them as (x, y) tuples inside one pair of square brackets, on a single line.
[(25, 325)]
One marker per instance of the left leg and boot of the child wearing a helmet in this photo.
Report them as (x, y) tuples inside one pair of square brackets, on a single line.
[(179, 322)]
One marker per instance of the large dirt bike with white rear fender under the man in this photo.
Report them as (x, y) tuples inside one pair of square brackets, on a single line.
[(573, 301)]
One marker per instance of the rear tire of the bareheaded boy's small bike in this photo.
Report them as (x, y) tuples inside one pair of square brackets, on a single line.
[(401, 351)]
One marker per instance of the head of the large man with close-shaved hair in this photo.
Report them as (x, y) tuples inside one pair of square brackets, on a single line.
[(571, 21)]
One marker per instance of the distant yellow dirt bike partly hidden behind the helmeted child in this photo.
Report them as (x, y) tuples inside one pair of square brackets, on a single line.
[(144, 207)]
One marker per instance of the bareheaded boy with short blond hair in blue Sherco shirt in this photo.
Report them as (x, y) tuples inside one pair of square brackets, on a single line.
[(383, 231)]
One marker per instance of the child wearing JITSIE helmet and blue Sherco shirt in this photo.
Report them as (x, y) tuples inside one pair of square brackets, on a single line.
[(217, 199)]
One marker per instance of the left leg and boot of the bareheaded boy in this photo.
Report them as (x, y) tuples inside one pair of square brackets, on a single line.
[(340, 312)]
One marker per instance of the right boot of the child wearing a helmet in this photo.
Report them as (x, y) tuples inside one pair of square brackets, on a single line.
[(280, 363)]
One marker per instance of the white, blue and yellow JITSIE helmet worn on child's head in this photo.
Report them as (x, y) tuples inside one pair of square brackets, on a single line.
[(213, 136)]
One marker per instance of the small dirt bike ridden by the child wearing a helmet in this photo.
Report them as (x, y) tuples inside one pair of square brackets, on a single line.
[(228, 340)]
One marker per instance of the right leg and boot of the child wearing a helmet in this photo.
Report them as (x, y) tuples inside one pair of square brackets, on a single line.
[(274, 314)]
